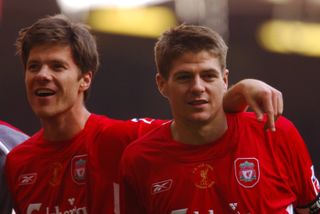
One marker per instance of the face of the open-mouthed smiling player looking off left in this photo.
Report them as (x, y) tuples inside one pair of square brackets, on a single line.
[(54, 83)]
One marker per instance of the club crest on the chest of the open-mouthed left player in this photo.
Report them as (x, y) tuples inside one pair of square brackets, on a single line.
[(79, 168)]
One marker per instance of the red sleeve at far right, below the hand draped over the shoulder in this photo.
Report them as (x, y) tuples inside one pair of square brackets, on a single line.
[(297, 165)]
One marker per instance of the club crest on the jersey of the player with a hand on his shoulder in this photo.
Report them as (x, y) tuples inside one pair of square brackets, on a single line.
[(247, 171)]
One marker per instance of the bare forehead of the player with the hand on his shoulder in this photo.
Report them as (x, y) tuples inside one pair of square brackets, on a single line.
[(190, 61)]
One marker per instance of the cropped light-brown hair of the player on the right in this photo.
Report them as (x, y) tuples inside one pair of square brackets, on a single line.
[(187, 38)]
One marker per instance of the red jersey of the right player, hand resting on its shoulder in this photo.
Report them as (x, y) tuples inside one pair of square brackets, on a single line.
[(247, 170)]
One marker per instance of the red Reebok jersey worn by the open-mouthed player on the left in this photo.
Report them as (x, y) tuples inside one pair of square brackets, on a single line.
[(75, 176)]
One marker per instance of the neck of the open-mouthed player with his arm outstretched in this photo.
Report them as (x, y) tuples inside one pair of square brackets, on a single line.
[(65, 126)]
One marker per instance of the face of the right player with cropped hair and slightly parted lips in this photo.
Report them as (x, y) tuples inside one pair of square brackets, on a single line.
[(195, 87)]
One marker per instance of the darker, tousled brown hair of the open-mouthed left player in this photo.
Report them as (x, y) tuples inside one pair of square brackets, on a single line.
[(60, 30)]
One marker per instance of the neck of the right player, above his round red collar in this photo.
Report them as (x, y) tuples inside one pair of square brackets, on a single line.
[(198, 134)]
